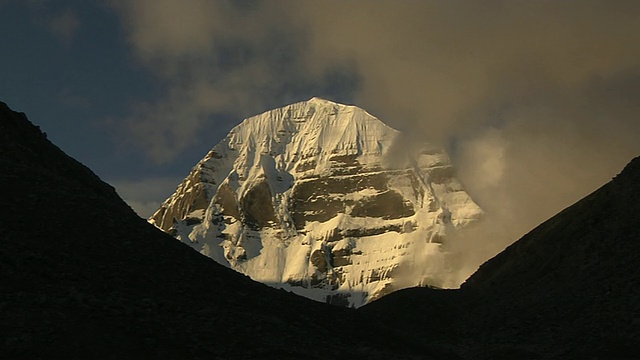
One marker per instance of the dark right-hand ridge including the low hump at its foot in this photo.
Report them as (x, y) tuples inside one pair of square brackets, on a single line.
[(568, 289)]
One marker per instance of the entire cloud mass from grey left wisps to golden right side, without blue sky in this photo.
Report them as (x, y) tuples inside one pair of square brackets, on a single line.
[(537, 102)]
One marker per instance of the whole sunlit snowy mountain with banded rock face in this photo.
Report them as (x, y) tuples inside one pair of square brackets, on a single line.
[(322, 199)]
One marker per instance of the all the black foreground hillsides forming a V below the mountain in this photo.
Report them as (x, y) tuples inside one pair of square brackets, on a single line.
[(81, 276)]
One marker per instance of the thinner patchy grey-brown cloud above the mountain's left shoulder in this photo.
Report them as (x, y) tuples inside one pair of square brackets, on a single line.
[(216, 60)]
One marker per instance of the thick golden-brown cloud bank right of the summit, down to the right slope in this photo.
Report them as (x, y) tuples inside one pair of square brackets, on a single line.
[(537, 102)]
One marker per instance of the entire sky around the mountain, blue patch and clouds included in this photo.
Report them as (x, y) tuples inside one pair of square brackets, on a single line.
[(537, 102)]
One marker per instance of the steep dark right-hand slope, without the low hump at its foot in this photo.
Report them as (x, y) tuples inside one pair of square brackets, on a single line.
[(572, 285)]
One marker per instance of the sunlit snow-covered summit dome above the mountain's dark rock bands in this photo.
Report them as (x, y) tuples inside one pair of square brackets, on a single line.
[(311, 127)]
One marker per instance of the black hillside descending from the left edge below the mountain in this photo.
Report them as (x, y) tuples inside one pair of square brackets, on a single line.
[(83, 277)]
